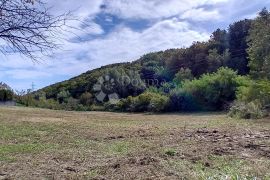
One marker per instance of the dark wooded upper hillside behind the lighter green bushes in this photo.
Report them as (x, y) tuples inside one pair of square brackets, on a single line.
[(225, 48)]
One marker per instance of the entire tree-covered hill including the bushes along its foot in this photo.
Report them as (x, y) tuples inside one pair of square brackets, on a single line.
[(231, 71)]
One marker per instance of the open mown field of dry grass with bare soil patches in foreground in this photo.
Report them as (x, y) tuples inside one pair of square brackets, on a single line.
[(45, 144)]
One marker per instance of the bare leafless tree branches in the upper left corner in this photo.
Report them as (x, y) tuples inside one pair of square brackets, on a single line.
[(27, 27)]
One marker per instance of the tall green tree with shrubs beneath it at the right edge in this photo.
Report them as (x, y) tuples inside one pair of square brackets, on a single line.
[(253, 99)]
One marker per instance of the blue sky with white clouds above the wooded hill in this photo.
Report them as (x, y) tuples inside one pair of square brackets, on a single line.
[(113, 31)]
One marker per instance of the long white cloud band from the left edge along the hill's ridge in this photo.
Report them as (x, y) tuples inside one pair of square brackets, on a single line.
[(122, 45)]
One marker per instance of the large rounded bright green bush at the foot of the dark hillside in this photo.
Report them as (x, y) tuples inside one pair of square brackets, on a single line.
[(214, 91)]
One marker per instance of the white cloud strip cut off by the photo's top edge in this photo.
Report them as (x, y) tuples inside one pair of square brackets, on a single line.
[(150, 9)]
